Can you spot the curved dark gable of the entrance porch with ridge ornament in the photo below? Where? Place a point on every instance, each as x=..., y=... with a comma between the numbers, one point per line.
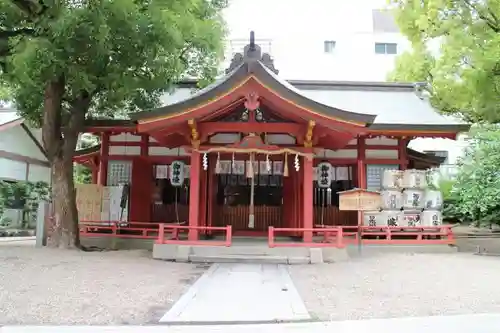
x=257, y=68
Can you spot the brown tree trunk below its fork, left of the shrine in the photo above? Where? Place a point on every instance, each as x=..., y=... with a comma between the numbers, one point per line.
x=63, y=231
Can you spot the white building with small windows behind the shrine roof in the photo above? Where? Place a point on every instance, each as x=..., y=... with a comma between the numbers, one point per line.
x=336, y=40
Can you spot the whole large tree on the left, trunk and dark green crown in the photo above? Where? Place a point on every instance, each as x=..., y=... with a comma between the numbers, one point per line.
x=67, y=60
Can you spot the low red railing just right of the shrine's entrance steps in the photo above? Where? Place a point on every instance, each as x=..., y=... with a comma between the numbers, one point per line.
x=331, y=237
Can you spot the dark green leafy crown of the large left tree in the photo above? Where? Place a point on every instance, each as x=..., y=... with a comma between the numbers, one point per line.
x=123, y=54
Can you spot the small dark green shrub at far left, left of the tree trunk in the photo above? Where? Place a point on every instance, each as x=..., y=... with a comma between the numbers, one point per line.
x=23, y=195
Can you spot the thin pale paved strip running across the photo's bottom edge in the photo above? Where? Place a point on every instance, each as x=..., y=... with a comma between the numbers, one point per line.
x=480, y=323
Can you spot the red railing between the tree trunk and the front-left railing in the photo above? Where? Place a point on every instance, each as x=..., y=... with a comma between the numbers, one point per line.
x=119, y=229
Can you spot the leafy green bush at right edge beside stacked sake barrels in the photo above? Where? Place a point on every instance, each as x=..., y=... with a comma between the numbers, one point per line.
x=477, y=190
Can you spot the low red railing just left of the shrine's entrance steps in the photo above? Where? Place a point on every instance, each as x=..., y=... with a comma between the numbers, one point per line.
x=173, y=233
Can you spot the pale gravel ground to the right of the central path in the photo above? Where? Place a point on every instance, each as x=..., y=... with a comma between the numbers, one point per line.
x=400, y=285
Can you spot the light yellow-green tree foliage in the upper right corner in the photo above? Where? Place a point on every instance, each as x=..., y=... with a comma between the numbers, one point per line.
x=456, y=50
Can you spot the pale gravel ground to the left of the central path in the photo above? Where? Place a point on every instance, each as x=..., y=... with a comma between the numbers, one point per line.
x=47, y=286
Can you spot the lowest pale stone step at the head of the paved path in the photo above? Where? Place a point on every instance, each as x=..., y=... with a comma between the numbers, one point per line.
x=241, y=258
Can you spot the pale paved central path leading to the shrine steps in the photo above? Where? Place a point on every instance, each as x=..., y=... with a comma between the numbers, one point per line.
x=240, y=293
